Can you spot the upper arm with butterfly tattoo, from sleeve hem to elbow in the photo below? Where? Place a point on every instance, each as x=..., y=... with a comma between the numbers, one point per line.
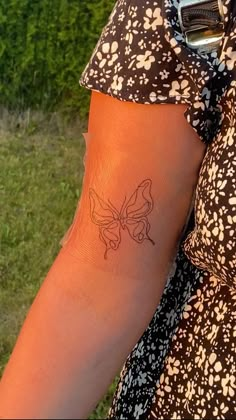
x=147, y=154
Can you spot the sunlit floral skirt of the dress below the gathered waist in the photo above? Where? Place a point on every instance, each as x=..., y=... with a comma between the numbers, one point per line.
x=199, y=376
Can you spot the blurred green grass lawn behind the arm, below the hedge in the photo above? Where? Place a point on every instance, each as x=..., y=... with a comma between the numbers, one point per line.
x=40, y=183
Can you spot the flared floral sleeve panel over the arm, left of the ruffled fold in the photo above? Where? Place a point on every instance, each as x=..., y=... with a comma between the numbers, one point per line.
x=132, y=61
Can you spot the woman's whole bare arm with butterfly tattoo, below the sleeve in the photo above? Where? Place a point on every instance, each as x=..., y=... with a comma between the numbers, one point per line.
x=90, y=310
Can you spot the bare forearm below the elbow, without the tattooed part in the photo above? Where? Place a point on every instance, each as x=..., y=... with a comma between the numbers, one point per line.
x=67, y=353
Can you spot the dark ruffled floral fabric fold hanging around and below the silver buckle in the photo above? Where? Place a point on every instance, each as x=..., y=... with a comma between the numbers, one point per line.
x=210, y=77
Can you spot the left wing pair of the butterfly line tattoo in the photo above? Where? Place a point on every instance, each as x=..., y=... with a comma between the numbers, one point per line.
x=107, y=218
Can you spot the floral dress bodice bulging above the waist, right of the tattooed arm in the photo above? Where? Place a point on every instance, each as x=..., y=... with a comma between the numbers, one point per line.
x=212, y=243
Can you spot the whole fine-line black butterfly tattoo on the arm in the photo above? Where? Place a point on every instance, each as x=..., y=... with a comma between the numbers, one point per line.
x=131, y=217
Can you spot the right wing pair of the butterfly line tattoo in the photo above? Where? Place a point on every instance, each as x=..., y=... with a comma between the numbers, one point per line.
x=135, y=212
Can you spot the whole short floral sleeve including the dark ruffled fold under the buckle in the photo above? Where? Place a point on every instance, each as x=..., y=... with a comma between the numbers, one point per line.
x=141, y=56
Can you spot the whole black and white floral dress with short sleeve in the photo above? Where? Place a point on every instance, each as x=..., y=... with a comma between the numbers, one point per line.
x=184, y=365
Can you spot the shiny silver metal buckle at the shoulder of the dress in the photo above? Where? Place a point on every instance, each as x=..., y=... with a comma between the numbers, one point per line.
x=202, y=22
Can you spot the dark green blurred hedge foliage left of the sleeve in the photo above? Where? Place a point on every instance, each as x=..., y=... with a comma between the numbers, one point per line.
x=44, y=46
